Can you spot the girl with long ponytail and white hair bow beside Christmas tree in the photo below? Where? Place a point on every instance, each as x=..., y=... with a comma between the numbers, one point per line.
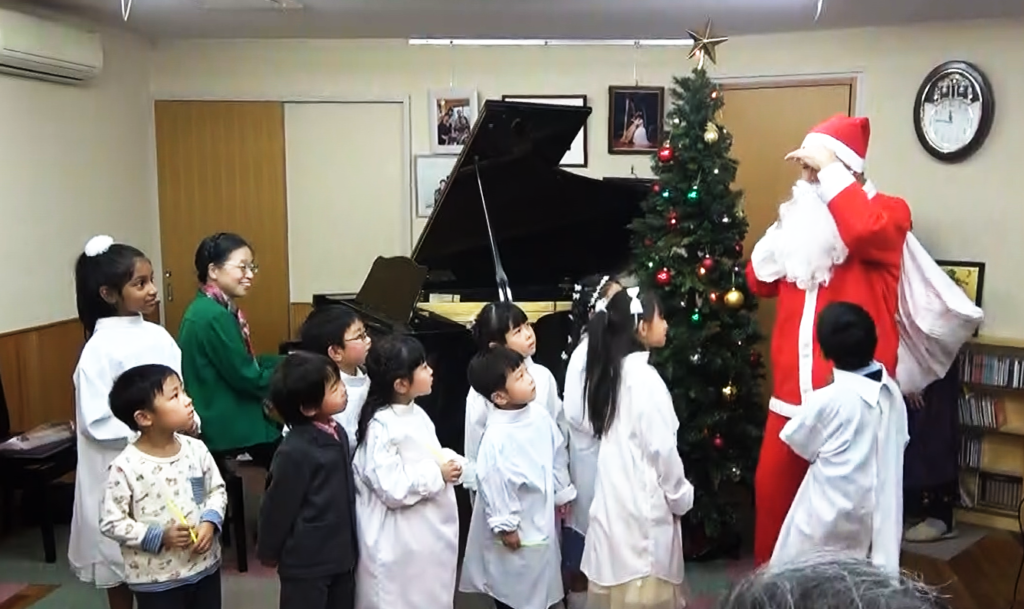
x=634, y=551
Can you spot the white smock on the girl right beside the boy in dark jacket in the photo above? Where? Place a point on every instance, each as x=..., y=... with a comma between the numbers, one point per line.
x=407, y=514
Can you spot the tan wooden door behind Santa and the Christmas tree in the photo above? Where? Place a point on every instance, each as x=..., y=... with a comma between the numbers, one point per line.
x=767, y=121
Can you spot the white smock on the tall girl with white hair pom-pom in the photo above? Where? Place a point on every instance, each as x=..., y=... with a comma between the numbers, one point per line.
x=117, y=344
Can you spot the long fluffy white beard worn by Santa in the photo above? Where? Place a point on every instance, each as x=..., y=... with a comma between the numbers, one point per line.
x=808, y=246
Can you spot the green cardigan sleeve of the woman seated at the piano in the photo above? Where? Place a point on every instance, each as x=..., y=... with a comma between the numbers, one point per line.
x=224, y=346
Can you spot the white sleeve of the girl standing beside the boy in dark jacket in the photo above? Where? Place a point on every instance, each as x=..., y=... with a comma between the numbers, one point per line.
x=397, y=484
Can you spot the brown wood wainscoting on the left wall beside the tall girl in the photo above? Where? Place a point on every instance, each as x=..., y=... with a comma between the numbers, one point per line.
x=37, y=366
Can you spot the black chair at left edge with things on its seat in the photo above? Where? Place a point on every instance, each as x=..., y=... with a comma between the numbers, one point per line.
x=33, y=473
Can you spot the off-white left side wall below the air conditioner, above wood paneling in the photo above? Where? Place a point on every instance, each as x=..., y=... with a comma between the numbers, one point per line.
x=74, y=162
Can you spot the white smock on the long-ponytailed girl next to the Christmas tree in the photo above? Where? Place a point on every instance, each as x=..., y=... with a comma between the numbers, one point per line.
x=634, y=551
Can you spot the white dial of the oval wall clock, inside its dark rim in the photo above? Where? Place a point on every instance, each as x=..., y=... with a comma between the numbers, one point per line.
x=952, y=112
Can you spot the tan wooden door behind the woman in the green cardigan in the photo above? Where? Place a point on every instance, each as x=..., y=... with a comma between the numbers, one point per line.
x=221, y=167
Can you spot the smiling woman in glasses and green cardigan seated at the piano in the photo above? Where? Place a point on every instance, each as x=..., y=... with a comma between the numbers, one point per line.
x=227, y=381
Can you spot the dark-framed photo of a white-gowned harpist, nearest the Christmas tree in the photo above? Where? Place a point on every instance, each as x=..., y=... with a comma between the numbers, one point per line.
x=636, y=117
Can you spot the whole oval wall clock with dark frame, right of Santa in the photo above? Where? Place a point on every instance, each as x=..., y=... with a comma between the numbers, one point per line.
x=954, y=111
